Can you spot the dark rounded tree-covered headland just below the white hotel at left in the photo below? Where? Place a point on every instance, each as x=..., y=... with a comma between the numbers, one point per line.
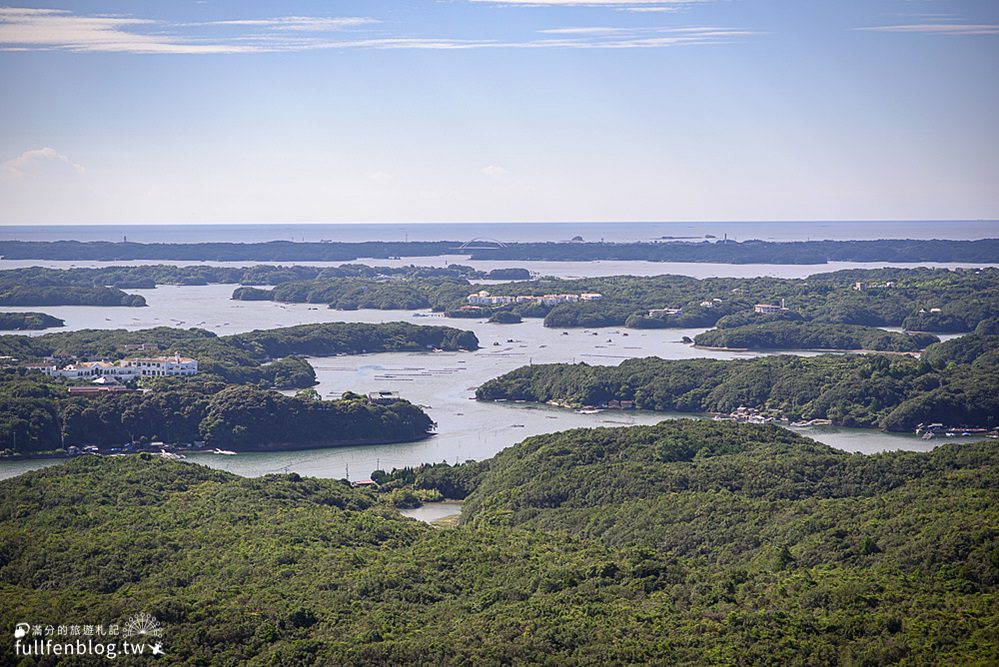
x=40, y=417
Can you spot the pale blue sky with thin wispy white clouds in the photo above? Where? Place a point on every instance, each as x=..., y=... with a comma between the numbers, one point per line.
x=483, y=110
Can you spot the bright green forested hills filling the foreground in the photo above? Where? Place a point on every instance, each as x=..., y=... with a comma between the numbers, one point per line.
x=684, y=543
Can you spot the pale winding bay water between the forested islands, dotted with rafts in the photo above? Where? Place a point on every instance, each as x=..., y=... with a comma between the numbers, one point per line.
x=445, y=382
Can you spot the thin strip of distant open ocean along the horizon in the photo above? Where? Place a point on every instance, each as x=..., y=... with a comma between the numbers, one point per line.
x=510, y=232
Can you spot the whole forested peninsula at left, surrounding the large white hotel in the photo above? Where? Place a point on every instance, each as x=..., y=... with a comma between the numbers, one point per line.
x=225, y=405
